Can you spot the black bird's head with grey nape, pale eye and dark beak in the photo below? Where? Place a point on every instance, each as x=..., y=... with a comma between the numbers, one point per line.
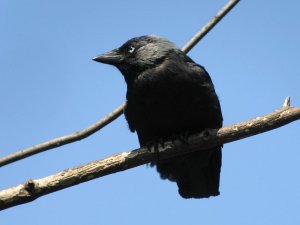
x=138, y=54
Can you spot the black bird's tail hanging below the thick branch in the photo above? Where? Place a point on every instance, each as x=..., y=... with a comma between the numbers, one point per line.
x=197, y=174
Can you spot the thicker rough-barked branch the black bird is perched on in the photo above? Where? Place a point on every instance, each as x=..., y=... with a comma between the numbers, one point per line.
x=32, y=189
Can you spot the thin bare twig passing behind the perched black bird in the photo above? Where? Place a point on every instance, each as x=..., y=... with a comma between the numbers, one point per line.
x=57, y=142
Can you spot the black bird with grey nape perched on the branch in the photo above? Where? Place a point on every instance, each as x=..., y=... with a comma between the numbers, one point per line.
x=169, y=95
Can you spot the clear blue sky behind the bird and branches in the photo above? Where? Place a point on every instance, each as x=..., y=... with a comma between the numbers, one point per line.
x=49, y=87
